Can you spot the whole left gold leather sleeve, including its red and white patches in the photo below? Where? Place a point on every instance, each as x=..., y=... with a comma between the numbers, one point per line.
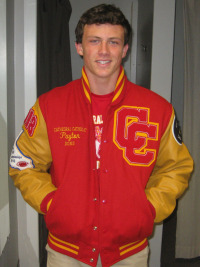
x=31, y=158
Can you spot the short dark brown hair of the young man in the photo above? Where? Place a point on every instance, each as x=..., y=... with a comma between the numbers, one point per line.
x=103, y=14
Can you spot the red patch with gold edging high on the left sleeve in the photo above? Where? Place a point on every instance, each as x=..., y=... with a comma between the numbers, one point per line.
x=31, y=122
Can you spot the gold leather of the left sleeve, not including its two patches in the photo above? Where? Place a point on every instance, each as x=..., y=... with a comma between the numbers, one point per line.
x=34, y=183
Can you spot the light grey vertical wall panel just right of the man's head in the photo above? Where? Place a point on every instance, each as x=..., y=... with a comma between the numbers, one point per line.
x=161, y=80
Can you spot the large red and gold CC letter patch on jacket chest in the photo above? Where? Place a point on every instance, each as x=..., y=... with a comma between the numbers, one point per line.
x=133, y=133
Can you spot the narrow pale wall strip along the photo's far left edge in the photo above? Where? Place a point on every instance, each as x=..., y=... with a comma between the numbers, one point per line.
x=4, y=197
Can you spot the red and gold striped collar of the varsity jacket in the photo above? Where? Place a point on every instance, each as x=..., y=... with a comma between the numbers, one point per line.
x=119, y=88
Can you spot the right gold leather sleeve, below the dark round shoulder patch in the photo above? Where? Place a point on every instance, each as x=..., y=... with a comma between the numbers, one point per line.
x=170, y=176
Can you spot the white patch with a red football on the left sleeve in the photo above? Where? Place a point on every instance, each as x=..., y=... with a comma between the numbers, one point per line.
x=18, y=160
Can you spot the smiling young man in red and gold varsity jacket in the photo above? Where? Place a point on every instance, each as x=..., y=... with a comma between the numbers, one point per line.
x=101, y=157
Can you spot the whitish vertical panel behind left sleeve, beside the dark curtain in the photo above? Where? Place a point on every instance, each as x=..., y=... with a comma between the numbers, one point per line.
x=25, y=96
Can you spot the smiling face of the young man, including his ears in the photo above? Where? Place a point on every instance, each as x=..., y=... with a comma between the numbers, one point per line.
x=102, y=49
